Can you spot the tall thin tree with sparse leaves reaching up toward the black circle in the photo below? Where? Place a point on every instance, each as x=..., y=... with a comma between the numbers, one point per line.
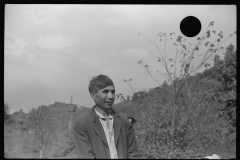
x=182, y=68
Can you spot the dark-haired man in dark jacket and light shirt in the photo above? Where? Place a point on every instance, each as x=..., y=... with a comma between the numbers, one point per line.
x=102, y=132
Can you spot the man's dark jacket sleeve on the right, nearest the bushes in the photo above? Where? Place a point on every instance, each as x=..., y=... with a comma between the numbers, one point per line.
x=133, y=151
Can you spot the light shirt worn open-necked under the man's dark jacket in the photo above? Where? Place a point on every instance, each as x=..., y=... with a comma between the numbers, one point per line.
x=107, y=124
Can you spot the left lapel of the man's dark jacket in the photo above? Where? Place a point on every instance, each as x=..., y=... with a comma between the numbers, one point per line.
x=97, y=126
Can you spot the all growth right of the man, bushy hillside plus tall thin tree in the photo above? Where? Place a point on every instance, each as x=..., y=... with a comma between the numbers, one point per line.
x=190, y=114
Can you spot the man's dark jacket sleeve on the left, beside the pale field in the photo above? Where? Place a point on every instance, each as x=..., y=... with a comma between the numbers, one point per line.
x=82, y=141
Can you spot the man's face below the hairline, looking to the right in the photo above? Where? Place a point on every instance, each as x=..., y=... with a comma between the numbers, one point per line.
x=105, y=97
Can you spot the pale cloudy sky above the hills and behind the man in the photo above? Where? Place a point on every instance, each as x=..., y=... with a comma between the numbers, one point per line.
x=52, y=51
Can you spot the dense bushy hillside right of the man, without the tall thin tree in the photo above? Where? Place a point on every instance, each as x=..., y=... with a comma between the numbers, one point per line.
x=205, y=117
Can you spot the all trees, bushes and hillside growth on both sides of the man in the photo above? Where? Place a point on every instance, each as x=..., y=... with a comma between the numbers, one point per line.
x=191, y=114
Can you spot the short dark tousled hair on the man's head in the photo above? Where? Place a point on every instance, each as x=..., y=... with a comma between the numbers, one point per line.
x=99, y=82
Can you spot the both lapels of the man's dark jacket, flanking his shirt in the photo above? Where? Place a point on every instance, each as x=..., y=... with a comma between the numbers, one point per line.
x=99, y=129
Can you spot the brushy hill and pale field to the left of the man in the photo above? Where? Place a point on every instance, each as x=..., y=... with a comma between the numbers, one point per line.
x=44, y=132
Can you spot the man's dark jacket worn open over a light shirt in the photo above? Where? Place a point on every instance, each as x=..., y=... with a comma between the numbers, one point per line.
x=91, y=141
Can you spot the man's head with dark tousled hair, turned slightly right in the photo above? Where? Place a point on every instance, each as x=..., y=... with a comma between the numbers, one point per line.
x=102, y=91
